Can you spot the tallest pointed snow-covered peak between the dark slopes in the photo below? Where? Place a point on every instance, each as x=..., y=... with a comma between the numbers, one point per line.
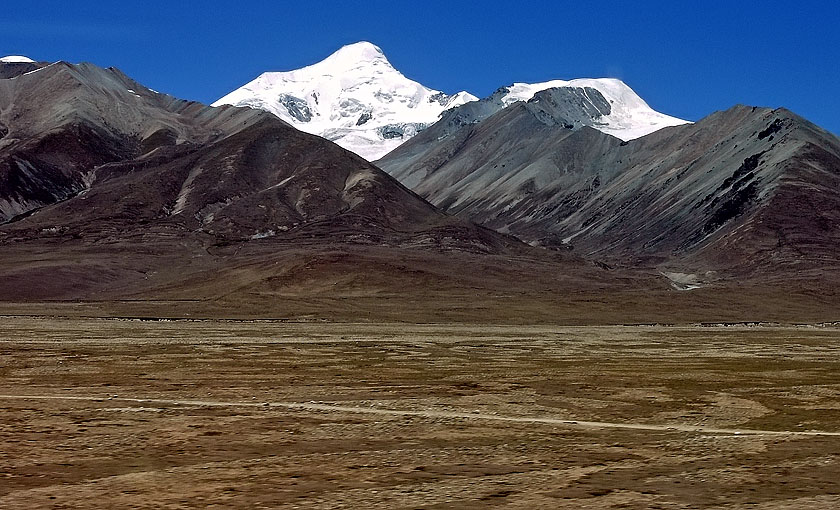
x=354, y=97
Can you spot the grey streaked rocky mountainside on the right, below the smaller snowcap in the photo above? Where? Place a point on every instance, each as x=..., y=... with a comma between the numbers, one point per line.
x=737, y=189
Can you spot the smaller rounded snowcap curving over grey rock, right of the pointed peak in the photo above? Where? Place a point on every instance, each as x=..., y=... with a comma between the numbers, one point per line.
x=630, y=116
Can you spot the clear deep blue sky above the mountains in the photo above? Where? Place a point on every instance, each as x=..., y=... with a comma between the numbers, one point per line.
x=684, y=58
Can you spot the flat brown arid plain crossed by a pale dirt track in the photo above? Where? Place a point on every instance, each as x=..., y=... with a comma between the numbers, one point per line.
x=108, y=413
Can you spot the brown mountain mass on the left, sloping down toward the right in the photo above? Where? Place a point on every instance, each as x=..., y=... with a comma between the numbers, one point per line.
x=110, y=190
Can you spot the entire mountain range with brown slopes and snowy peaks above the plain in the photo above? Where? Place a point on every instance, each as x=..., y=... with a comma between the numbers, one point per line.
x=537, y=201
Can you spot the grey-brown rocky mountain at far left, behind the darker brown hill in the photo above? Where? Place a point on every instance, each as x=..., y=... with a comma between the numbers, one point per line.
x=63, y=121
